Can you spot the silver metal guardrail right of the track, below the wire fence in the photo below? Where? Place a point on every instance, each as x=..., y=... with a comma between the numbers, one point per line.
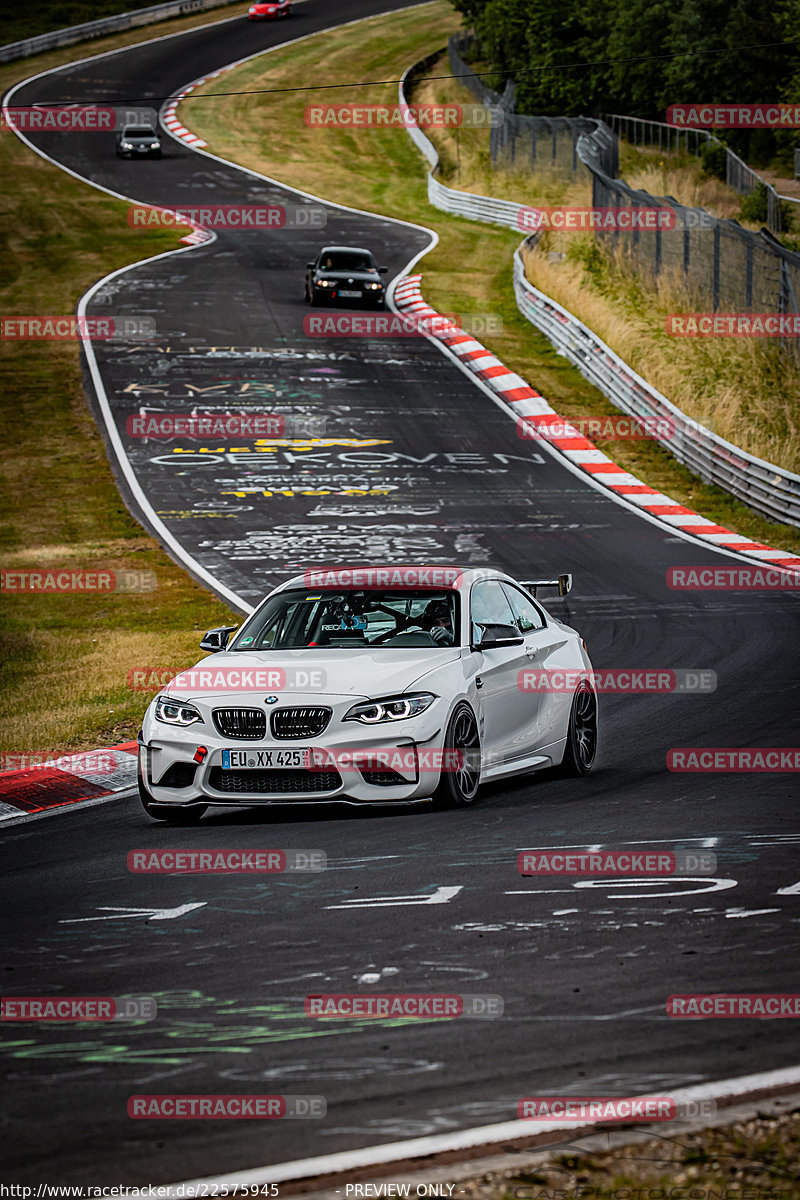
x=771, y=490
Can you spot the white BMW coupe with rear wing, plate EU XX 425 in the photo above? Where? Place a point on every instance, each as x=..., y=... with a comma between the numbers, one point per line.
x=372, y=686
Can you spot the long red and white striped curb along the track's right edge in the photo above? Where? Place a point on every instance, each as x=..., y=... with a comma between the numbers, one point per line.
x=526, y=404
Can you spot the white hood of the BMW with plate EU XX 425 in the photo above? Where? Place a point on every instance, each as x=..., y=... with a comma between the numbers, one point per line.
x=363, y=674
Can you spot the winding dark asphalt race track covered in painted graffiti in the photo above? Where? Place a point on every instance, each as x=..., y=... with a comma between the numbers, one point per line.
x=585, y=971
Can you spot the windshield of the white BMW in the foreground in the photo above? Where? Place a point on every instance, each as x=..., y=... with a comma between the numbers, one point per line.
x=297, y=620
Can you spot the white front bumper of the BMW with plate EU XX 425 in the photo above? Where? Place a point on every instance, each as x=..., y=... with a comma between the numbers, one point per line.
x=410, y=751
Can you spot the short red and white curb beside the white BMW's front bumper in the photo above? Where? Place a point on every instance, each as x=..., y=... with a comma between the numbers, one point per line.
x=68, y=781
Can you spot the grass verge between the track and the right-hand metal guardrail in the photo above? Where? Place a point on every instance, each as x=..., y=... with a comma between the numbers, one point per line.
x=381, y=171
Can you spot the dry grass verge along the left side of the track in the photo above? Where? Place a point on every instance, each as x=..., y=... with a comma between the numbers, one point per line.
x=65, y=659
